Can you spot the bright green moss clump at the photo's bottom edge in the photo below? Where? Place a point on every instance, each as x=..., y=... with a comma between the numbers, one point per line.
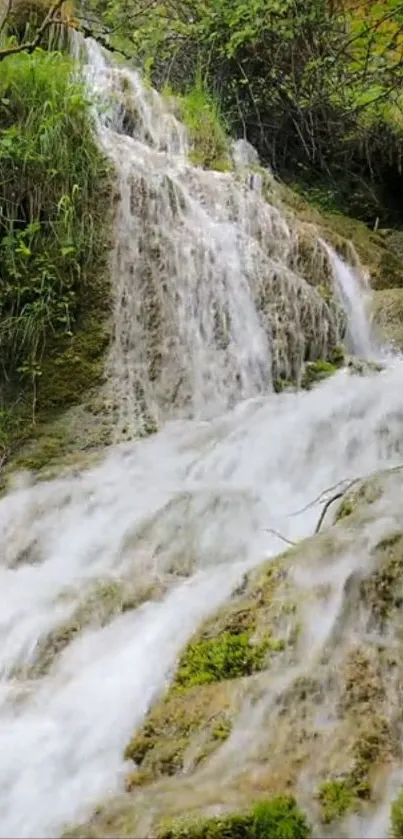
x=277, y=818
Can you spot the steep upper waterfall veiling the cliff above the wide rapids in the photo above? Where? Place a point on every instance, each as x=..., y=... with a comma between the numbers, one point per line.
x=211, y=303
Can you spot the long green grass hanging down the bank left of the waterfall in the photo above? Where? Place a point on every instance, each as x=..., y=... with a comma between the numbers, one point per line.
x=54, y=188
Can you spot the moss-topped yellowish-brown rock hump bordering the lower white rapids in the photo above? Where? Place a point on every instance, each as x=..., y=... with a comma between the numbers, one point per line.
x=196, y=714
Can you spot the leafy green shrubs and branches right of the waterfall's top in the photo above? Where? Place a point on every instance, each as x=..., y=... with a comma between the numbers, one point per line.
x=315, y=85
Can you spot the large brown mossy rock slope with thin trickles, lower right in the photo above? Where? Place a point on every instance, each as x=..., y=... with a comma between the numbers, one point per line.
x=295, y=686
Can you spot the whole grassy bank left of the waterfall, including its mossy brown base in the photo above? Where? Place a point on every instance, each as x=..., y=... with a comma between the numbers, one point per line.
x=54, y=217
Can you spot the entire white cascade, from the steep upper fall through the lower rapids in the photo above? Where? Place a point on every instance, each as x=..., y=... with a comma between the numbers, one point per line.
x=105, y=576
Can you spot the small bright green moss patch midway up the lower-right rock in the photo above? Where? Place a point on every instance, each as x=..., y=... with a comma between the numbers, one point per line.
x=226, y=657
